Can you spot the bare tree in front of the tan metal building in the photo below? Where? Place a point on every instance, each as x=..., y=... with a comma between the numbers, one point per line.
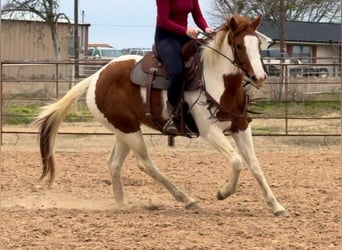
x=46, y=10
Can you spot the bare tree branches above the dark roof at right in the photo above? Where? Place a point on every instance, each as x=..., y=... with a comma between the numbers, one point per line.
x=296, y=10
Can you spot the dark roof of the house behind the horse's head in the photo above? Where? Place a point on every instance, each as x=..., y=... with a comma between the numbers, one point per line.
x=302, y=31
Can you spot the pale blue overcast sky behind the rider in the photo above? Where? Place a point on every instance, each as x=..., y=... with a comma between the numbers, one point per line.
x=120, y=23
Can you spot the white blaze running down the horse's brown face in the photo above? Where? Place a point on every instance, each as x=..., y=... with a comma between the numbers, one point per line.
x=252, y=46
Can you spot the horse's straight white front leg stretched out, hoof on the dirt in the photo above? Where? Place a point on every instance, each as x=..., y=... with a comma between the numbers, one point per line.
x=245, y=145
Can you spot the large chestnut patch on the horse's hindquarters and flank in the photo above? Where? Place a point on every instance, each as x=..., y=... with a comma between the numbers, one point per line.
x=120, y=100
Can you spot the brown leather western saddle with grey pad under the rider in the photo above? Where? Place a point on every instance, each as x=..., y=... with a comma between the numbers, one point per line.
x=150, y=72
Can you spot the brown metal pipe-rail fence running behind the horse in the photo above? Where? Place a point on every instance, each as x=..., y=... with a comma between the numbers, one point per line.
x=301, y=104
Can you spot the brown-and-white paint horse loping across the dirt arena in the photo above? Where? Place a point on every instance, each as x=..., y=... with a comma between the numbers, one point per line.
x=119, y=104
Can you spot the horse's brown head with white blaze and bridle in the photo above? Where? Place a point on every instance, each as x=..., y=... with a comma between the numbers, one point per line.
x=245, y=43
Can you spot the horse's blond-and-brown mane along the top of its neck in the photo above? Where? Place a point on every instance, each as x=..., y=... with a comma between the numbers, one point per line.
x=221, y=35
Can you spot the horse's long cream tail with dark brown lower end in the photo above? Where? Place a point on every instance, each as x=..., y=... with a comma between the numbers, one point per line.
x=49, y=121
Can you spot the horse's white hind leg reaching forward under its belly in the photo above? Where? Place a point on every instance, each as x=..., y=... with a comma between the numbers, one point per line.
x=136, y=143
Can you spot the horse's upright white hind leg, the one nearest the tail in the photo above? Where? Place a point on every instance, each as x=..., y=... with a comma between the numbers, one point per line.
x=118, y=155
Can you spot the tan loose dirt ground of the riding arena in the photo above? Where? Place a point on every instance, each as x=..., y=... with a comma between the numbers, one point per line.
x=79, y=211
